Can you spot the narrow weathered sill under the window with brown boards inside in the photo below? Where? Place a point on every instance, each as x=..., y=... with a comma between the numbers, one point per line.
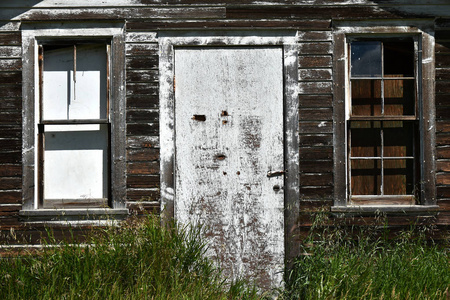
x=390, y=209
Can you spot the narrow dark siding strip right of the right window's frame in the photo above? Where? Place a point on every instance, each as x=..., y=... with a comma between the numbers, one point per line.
x=443, y=119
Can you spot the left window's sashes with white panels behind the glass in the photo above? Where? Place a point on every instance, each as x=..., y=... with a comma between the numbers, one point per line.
x=73, y=141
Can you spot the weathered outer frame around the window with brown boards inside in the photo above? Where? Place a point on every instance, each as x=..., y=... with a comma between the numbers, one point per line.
x=346, y=31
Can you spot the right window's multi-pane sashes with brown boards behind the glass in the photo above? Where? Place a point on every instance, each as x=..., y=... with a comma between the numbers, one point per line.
x=383, y=122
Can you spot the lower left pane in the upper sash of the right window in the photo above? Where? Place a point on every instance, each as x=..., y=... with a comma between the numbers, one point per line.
x=366, y=97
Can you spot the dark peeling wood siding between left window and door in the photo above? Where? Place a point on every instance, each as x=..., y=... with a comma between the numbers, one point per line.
x=142, y=121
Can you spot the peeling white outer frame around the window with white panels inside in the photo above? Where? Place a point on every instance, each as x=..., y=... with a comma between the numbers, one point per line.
x=33, y=35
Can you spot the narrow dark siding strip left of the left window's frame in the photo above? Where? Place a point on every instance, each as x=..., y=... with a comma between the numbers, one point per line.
x=10, y=126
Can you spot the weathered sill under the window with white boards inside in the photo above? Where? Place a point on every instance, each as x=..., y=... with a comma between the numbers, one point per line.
x=74, y=214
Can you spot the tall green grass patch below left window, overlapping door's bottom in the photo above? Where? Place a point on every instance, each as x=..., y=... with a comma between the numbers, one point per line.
x=140, y=261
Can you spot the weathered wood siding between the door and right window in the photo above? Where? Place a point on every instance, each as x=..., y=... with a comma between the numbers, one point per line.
x=315, y=119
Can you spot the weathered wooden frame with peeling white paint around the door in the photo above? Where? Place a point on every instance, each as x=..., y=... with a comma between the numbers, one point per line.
x=168, y=41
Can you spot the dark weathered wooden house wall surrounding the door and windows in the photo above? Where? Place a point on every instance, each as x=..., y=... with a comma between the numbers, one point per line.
x=143, y=21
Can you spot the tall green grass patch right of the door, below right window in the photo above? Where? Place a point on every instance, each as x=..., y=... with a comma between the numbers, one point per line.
x=367, y=265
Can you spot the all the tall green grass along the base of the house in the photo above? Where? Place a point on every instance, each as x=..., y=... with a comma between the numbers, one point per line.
x=143, y=260
